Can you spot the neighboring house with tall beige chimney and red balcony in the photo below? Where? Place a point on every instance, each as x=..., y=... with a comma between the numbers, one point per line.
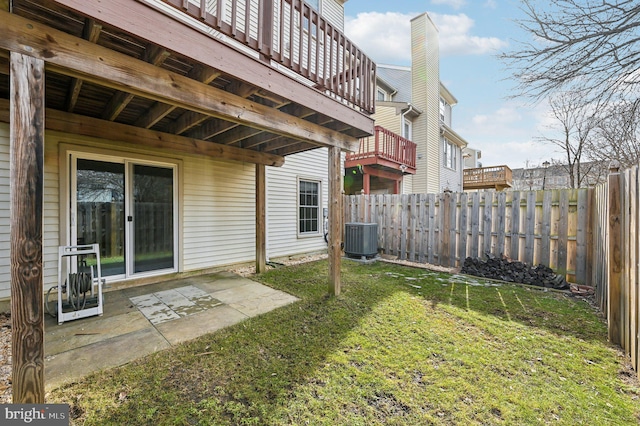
x=413, y=105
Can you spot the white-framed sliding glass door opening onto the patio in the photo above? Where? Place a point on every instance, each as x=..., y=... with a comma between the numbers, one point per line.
x=128, y=208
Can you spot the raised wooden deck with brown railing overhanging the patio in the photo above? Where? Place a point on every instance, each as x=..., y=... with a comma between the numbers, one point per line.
x=266, y=89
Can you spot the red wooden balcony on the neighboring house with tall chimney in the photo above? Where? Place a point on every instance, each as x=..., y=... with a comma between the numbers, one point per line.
x=384, y=150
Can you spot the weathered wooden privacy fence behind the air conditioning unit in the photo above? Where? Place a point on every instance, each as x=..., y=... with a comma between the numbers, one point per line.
x=537, y=227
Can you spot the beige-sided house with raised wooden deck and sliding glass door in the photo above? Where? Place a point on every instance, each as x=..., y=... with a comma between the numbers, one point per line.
x=178, y=139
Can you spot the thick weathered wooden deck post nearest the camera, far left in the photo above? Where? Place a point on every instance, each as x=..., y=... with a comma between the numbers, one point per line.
x=27, y=178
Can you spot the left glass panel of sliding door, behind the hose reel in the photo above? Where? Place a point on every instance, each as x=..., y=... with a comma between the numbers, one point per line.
x=100, y=211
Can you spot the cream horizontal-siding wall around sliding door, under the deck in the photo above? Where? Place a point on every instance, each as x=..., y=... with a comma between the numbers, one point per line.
x=216, y=219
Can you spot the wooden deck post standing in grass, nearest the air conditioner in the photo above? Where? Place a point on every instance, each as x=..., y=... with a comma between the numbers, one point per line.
x=335, y=220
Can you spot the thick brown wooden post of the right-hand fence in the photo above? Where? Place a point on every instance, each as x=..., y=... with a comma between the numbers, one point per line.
x=614, y=307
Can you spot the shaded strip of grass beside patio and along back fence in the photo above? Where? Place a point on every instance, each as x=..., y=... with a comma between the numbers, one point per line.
x=246, y=373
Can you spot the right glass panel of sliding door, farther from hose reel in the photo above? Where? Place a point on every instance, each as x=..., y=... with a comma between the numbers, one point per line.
x=152, y=218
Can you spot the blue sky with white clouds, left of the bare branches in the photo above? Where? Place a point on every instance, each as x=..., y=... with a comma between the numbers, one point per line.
x=472, y=33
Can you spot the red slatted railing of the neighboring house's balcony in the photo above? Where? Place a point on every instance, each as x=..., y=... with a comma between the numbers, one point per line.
x=386, y=145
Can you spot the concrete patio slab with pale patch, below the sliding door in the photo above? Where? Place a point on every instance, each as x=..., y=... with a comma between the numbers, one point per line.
x=129, y=329
